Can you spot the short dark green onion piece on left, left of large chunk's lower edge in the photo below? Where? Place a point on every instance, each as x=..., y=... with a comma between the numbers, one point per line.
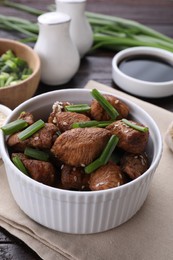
x=36, y=154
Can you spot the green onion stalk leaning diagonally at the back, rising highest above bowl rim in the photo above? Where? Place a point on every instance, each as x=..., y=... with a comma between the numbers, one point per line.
x=112, y=112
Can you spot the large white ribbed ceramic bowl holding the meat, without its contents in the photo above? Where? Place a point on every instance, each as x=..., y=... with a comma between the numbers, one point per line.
x=75, y=211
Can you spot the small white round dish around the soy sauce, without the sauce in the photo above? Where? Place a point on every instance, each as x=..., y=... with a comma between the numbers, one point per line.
x=140, y=87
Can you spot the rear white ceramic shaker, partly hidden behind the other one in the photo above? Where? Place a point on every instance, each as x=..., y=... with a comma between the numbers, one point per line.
x=80, y=29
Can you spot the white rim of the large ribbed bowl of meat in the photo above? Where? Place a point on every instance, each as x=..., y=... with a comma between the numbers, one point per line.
x=4, y=150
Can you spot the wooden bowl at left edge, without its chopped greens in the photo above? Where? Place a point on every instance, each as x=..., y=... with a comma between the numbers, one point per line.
x=12, y=96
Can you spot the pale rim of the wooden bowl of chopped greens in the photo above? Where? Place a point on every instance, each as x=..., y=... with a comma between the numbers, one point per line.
x=30, y=50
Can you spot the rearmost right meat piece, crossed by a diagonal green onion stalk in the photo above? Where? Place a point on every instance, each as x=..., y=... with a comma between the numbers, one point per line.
x=98, y=113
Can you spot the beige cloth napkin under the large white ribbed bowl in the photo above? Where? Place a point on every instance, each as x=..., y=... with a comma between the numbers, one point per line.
x=147, y=236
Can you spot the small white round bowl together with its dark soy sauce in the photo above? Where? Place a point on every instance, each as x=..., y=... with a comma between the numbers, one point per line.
x=144, y=71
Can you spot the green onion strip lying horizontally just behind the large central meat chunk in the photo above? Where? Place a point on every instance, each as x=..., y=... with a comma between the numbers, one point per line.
x=92, y=123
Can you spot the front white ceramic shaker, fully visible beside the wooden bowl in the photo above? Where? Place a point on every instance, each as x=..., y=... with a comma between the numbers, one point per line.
x=58, y=54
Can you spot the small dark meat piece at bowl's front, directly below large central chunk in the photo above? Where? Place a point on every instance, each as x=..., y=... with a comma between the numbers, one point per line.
x=74, y=178
